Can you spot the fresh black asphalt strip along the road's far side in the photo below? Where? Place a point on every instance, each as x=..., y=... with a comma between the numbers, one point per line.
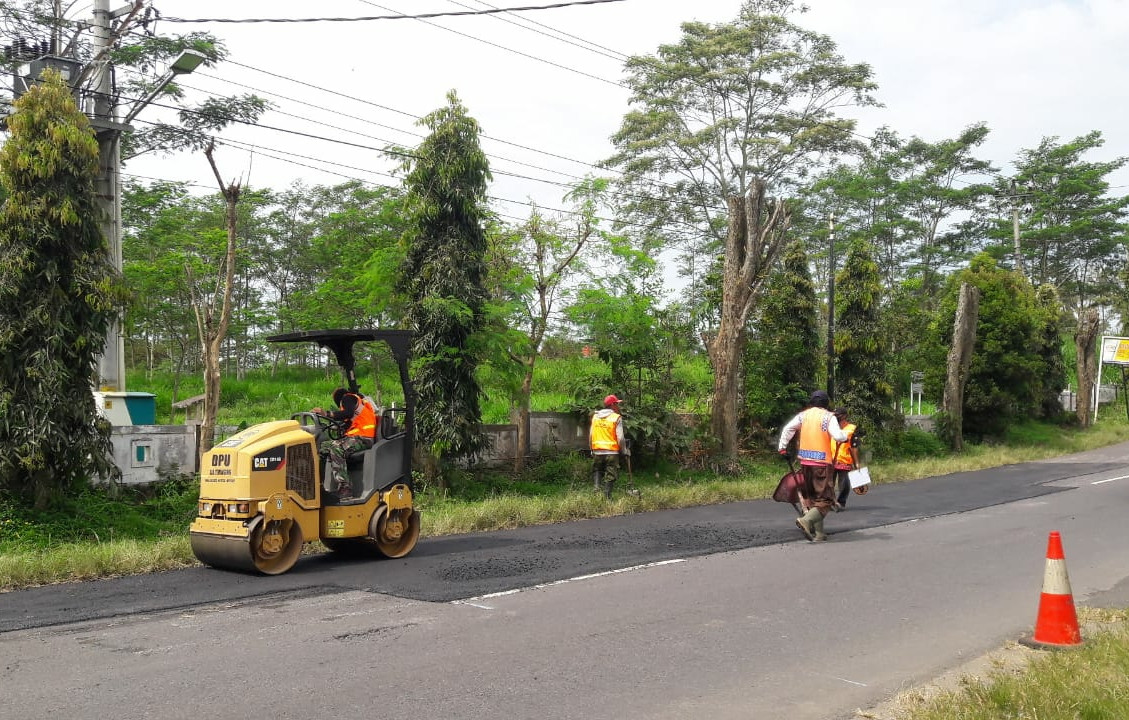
x=458, y=567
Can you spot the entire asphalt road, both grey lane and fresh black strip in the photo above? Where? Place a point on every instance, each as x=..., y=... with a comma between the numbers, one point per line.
x=717, y=612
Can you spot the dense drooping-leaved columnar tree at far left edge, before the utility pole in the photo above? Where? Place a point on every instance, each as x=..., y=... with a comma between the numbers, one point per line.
x=58, y=296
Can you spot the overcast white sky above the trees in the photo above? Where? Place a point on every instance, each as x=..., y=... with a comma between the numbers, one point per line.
x=1028, y=68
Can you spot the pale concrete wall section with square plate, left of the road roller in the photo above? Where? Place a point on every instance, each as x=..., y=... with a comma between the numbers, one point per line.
x=142, y=452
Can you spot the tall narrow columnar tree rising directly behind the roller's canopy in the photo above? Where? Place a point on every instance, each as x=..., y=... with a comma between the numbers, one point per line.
x=443, y=278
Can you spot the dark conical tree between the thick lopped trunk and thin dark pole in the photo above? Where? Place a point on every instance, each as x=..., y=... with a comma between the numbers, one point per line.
x=783, y=358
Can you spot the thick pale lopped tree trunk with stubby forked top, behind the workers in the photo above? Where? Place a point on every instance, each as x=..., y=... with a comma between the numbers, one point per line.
x=754, y=242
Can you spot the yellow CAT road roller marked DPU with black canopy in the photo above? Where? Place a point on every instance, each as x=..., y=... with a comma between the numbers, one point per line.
x=267, y=491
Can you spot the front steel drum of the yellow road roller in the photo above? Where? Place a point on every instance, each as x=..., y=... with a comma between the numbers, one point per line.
x=272, y=548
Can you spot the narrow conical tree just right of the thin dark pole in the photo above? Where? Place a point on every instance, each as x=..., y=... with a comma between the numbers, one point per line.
x=862, y=381
